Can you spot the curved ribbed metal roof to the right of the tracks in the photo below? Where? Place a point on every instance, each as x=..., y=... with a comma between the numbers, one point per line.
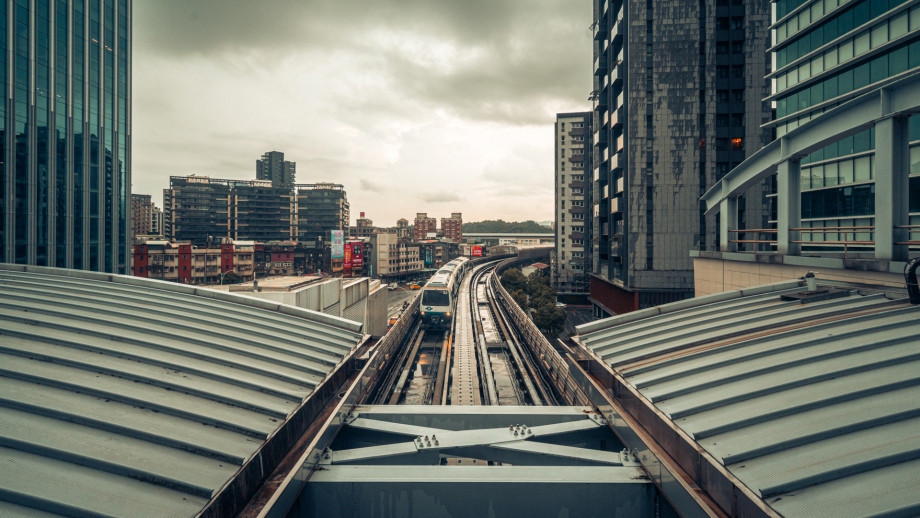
x=815, y=407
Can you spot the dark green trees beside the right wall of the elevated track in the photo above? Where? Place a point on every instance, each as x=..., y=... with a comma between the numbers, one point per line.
x=534, y=292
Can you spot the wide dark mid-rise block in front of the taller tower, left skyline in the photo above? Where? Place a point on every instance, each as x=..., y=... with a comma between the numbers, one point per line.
x=198, y=207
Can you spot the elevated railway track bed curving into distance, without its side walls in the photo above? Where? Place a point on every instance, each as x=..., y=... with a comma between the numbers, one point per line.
x=480, y=360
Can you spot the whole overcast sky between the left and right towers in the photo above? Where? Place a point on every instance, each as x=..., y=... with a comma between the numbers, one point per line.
x=433, y=106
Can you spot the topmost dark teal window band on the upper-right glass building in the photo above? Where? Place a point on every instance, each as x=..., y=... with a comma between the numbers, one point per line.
x=846, y=20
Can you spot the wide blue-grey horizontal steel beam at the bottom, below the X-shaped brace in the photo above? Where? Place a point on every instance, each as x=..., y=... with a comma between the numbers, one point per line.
x=442, y=491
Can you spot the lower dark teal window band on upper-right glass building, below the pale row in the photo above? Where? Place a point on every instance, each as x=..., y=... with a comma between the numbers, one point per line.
x=900, y=59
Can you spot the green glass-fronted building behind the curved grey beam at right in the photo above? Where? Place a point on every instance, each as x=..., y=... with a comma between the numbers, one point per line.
x=826, y=52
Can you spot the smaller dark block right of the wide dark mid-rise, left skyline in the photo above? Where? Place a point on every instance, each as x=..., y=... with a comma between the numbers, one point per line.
x=320, y=208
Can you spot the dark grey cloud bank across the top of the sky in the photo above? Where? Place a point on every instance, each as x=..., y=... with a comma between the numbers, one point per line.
x=509, y=56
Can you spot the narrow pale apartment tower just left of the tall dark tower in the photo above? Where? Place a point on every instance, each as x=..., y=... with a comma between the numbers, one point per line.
x=572, y=255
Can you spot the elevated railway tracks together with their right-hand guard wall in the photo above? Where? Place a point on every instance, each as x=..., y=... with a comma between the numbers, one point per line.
x=492, y=355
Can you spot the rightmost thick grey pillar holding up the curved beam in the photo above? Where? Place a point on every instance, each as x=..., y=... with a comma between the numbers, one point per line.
x=892, y=168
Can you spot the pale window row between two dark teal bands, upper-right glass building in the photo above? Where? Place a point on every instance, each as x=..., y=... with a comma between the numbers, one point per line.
x=846, y=50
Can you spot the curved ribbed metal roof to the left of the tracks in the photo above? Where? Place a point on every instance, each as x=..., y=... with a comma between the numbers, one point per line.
x=122, y=396
